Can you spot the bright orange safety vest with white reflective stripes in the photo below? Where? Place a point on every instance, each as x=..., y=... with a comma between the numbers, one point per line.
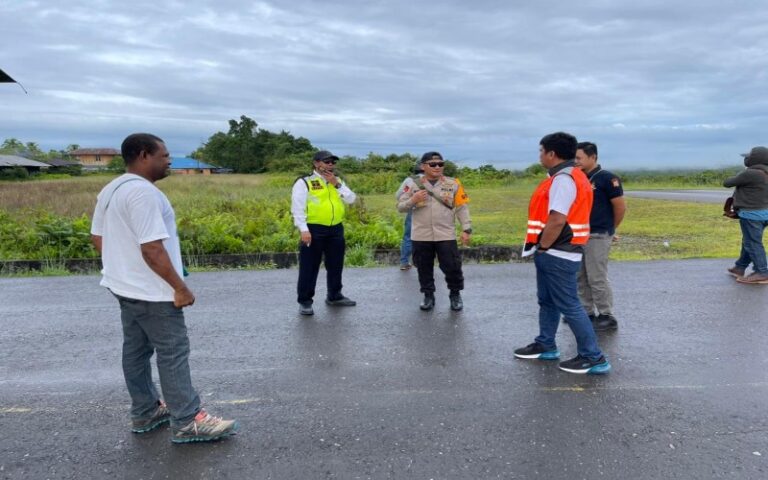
x=575, y=233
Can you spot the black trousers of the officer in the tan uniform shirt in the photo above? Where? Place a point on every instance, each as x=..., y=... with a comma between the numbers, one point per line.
x=449, y=259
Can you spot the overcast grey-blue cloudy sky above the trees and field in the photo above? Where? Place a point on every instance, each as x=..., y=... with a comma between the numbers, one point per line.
x=653, y=83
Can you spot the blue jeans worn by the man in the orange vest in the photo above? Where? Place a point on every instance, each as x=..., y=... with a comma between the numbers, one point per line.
x=557, y=293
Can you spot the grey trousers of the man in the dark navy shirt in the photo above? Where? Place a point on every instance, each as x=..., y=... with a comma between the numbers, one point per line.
x=594, y=288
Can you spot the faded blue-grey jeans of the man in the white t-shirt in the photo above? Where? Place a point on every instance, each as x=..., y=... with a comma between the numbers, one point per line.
x=150, y=327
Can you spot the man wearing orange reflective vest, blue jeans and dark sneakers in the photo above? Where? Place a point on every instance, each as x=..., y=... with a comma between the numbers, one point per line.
x=558, y=229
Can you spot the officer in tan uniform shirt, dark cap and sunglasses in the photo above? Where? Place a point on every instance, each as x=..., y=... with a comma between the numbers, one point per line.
x=437, y=201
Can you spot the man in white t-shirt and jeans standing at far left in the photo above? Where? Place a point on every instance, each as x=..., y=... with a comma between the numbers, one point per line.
x=134, y=229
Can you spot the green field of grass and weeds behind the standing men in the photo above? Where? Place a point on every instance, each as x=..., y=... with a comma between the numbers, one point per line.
x=251, y=213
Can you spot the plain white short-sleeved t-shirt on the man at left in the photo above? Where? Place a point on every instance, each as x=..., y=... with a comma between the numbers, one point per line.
x=131, y=211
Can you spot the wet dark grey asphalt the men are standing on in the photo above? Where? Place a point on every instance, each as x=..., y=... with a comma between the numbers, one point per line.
x=383, y=390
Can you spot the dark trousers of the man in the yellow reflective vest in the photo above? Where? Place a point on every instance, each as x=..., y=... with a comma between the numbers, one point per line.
x=326, y=242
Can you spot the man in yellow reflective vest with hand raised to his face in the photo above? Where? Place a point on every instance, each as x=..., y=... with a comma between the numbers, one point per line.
x=317, y=206
